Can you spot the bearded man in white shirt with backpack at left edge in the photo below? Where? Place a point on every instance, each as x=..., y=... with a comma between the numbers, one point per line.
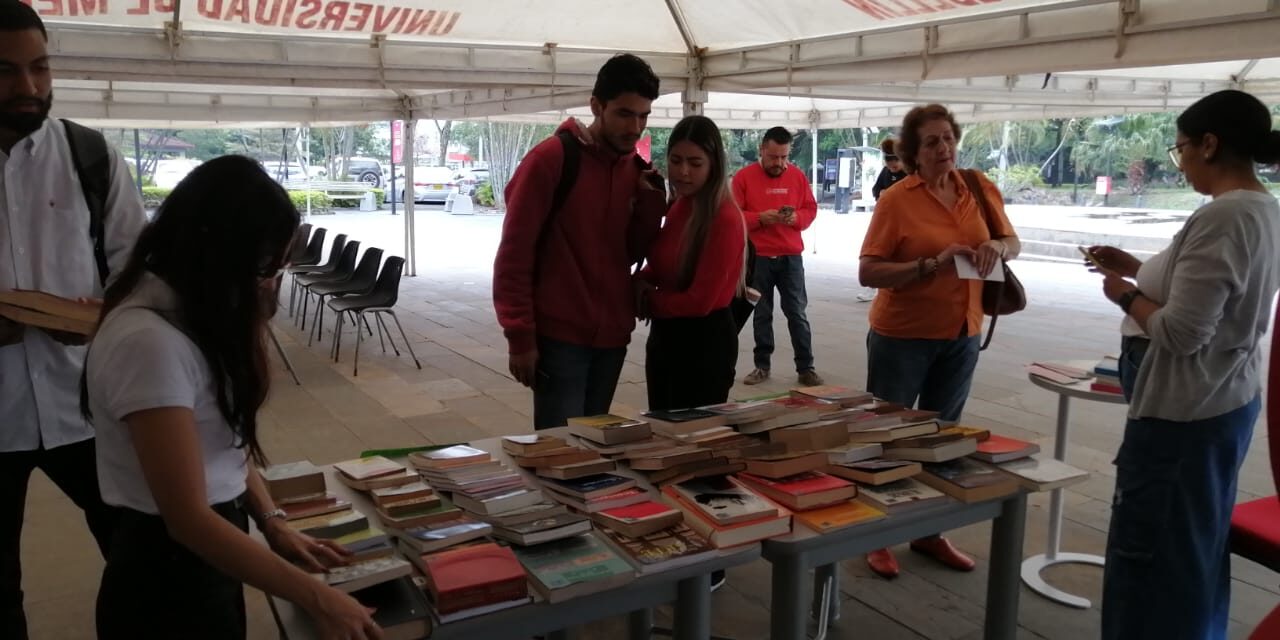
x=47, y=245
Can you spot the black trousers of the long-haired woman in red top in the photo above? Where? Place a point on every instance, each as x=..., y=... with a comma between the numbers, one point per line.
x=689, y=362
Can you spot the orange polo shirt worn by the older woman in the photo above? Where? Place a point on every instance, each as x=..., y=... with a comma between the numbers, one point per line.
x=911, y=223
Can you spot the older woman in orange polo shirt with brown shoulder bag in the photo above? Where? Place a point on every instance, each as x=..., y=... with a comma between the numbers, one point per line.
x=925, y=326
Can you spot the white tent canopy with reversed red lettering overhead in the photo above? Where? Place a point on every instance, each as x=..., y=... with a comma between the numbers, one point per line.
x=746, y=63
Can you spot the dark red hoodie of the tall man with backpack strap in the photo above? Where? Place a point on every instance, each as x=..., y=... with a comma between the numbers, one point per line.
x=582, y=294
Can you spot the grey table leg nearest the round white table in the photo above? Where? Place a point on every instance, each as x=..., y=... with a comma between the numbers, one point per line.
x=1007, y=548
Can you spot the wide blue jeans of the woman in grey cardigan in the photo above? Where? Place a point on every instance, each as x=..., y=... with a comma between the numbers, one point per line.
x=1168, y=565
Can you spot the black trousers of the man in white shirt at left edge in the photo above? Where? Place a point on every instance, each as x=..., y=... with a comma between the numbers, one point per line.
x=74, y=468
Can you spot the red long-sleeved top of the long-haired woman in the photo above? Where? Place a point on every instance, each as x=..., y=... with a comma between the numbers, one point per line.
x=719, y=271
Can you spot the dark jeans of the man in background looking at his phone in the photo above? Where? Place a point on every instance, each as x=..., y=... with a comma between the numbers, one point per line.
x=787, y=273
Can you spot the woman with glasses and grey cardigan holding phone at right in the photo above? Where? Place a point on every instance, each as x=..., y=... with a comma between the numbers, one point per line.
x=1203, y=304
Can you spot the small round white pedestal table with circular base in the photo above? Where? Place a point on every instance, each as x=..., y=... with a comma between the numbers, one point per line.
x=1035, y=565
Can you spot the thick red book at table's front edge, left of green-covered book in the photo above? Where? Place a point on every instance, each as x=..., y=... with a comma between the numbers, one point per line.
x=470, y=577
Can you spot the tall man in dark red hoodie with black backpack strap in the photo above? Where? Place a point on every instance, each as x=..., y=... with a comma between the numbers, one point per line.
x=563, y=277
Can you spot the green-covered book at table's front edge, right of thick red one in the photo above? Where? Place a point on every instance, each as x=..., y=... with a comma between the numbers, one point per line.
x=574, y=566
